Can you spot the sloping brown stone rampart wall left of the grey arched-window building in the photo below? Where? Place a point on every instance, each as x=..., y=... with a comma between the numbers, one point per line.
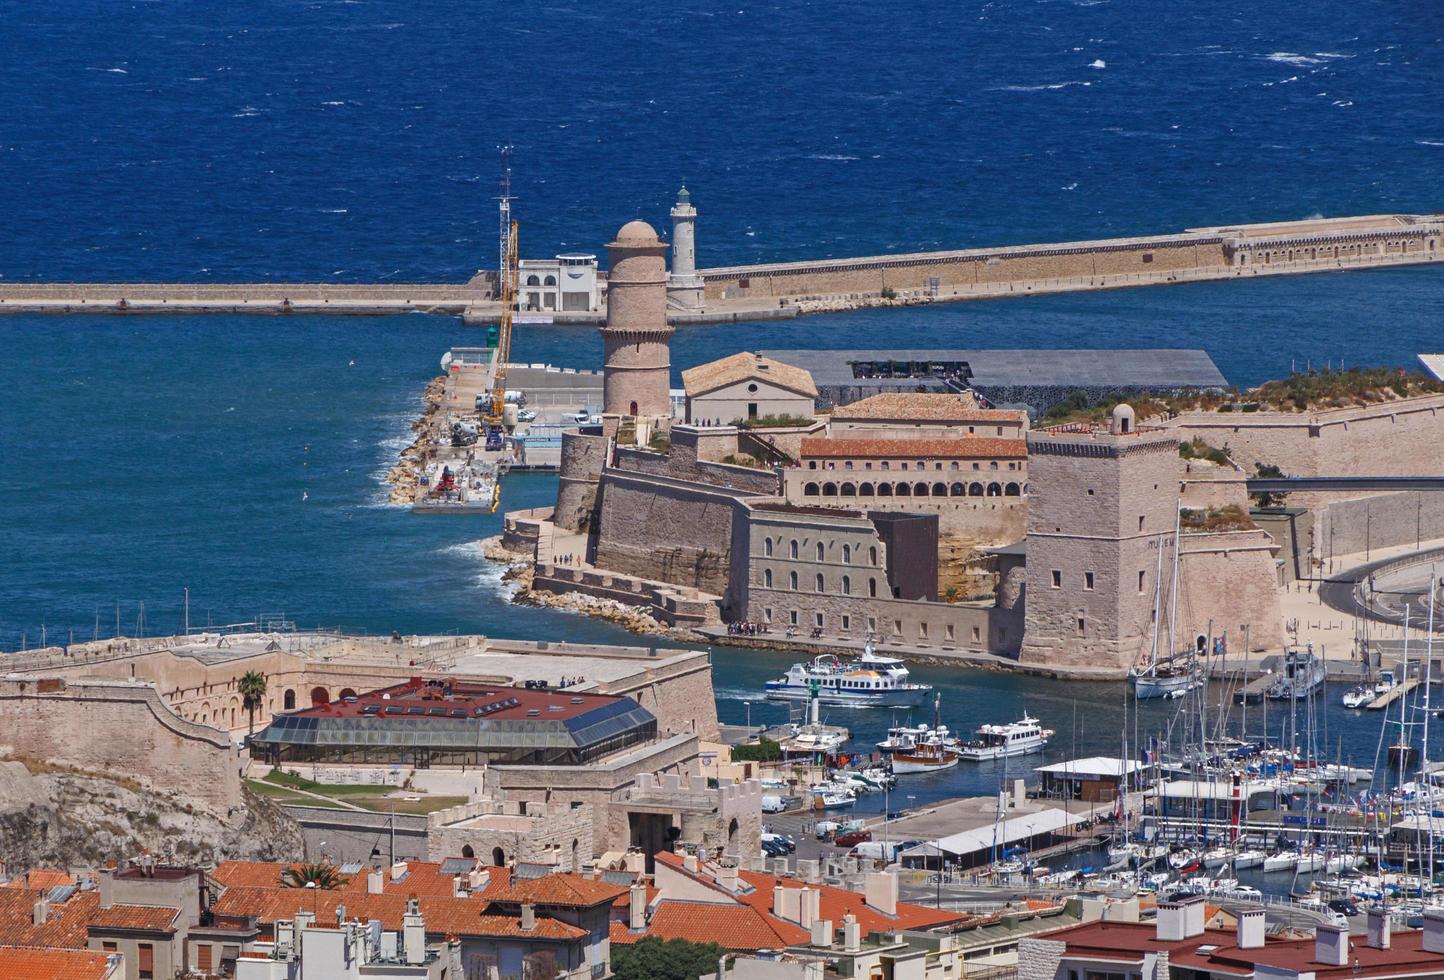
x=666, y=530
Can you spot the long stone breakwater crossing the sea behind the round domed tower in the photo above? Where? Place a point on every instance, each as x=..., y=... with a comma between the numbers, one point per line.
x=775, y=291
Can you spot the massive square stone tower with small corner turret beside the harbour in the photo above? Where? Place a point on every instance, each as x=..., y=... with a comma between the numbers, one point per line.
x=1101, y=506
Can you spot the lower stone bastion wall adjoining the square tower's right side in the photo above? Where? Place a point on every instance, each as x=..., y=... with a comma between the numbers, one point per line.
x=1231, y=578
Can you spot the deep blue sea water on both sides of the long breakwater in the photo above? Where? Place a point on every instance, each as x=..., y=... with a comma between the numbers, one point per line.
x=242, y=458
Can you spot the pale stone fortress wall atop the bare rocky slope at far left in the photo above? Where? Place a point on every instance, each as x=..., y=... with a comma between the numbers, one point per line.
x=119, y=728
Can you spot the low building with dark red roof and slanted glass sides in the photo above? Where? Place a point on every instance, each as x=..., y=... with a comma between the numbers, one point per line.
x=427, y=724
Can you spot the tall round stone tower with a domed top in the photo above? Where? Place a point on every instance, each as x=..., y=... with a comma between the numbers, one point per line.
x=636, y=338
